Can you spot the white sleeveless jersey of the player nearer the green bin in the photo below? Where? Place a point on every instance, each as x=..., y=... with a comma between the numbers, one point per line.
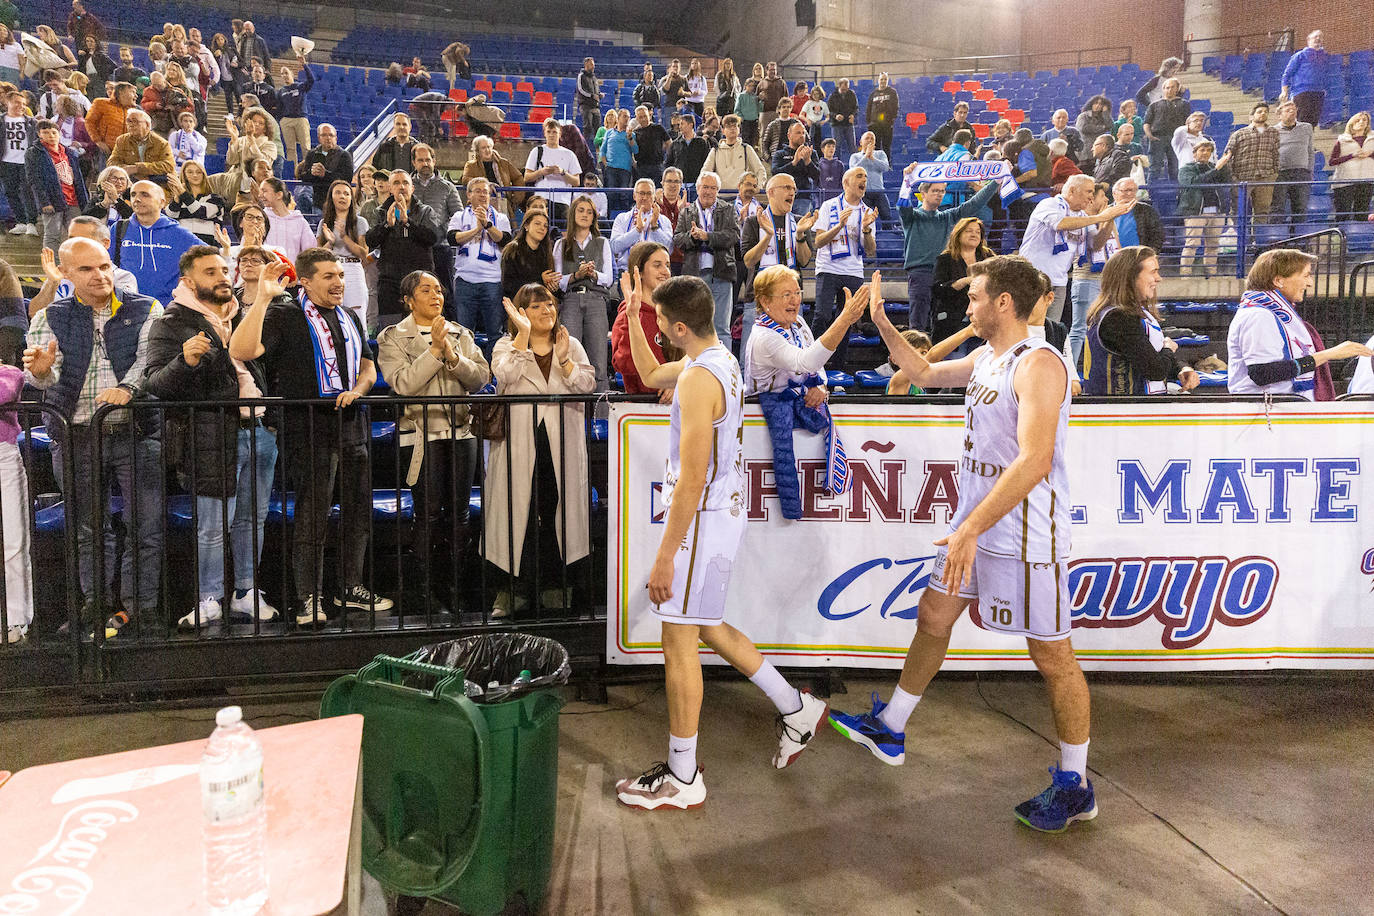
x=726, y=473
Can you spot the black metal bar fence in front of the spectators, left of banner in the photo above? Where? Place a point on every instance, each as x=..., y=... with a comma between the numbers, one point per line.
x=128, y=540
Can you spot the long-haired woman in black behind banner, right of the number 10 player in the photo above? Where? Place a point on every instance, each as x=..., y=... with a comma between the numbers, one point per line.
x=1127, y=350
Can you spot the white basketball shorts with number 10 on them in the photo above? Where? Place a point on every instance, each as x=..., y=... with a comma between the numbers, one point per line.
x=1015, y=597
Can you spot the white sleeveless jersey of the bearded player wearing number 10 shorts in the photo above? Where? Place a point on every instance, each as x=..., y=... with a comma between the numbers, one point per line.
x=1038, y=529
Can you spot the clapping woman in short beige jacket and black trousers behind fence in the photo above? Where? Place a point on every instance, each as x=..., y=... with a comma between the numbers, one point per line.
x=427, y=356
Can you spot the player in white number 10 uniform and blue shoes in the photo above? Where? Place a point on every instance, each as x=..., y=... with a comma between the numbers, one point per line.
x=1009, y=542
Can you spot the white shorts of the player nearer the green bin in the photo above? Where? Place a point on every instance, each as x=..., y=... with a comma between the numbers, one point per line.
x=703, y=566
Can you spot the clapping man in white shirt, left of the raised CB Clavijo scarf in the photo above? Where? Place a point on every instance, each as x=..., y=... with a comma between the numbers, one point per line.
x=846, y=236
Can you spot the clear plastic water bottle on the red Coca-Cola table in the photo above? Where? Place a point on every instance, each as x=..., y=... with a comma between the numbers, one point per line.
x=234, y=804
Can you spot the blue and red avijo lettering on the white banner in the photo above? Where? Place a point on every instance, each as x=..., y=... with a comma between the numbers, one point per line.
x=1186, y=594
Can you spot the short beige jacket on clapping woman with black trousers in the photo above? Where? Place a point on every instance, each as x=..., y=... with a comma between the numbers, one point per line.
x=405, y=360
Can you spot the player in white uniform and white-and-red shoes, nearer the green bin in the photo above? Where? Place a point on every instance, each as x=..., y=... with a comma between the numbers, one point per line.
x=704, y=488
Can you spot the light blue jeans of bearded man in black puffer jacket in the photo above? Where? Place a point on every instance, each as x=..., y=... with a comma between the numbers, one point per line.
x=247, y=517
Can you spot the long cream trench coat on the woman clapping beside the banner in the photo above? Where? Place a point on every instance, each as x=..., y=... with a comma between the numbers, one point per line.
x=517, y=373
